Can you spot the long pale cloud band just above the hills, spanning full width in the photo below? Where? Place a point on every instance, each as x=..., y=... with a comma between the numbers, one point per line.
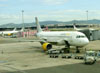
x=52, y=15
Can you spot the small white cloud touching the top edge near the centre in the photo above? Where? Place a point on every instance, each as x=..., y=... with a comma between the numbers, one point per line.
x=54, y=2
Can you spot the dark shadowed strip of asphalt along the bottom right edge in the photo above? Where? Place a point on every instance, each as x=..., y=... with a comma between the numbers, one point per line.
x=73, y=68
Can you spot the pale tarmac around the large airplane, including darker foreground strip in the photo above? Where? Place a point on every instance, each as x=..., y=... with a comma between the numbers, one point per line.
x=28, y=57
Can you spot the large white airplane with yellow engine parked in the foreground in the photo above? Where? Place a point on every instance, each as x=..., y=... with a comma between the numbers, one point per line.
x=67, y=38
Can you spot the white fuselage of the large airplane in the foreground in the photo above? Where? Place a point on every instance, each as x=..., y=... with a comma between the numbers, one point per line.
x=74, y=38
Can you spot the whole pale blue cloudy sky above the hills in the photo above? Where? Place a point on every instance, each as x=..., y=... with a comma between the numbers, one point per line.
x=48, y=10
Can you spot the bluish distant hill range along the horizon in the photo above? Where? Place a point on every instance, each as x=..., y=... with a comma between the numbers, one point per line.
x=12, y=25
